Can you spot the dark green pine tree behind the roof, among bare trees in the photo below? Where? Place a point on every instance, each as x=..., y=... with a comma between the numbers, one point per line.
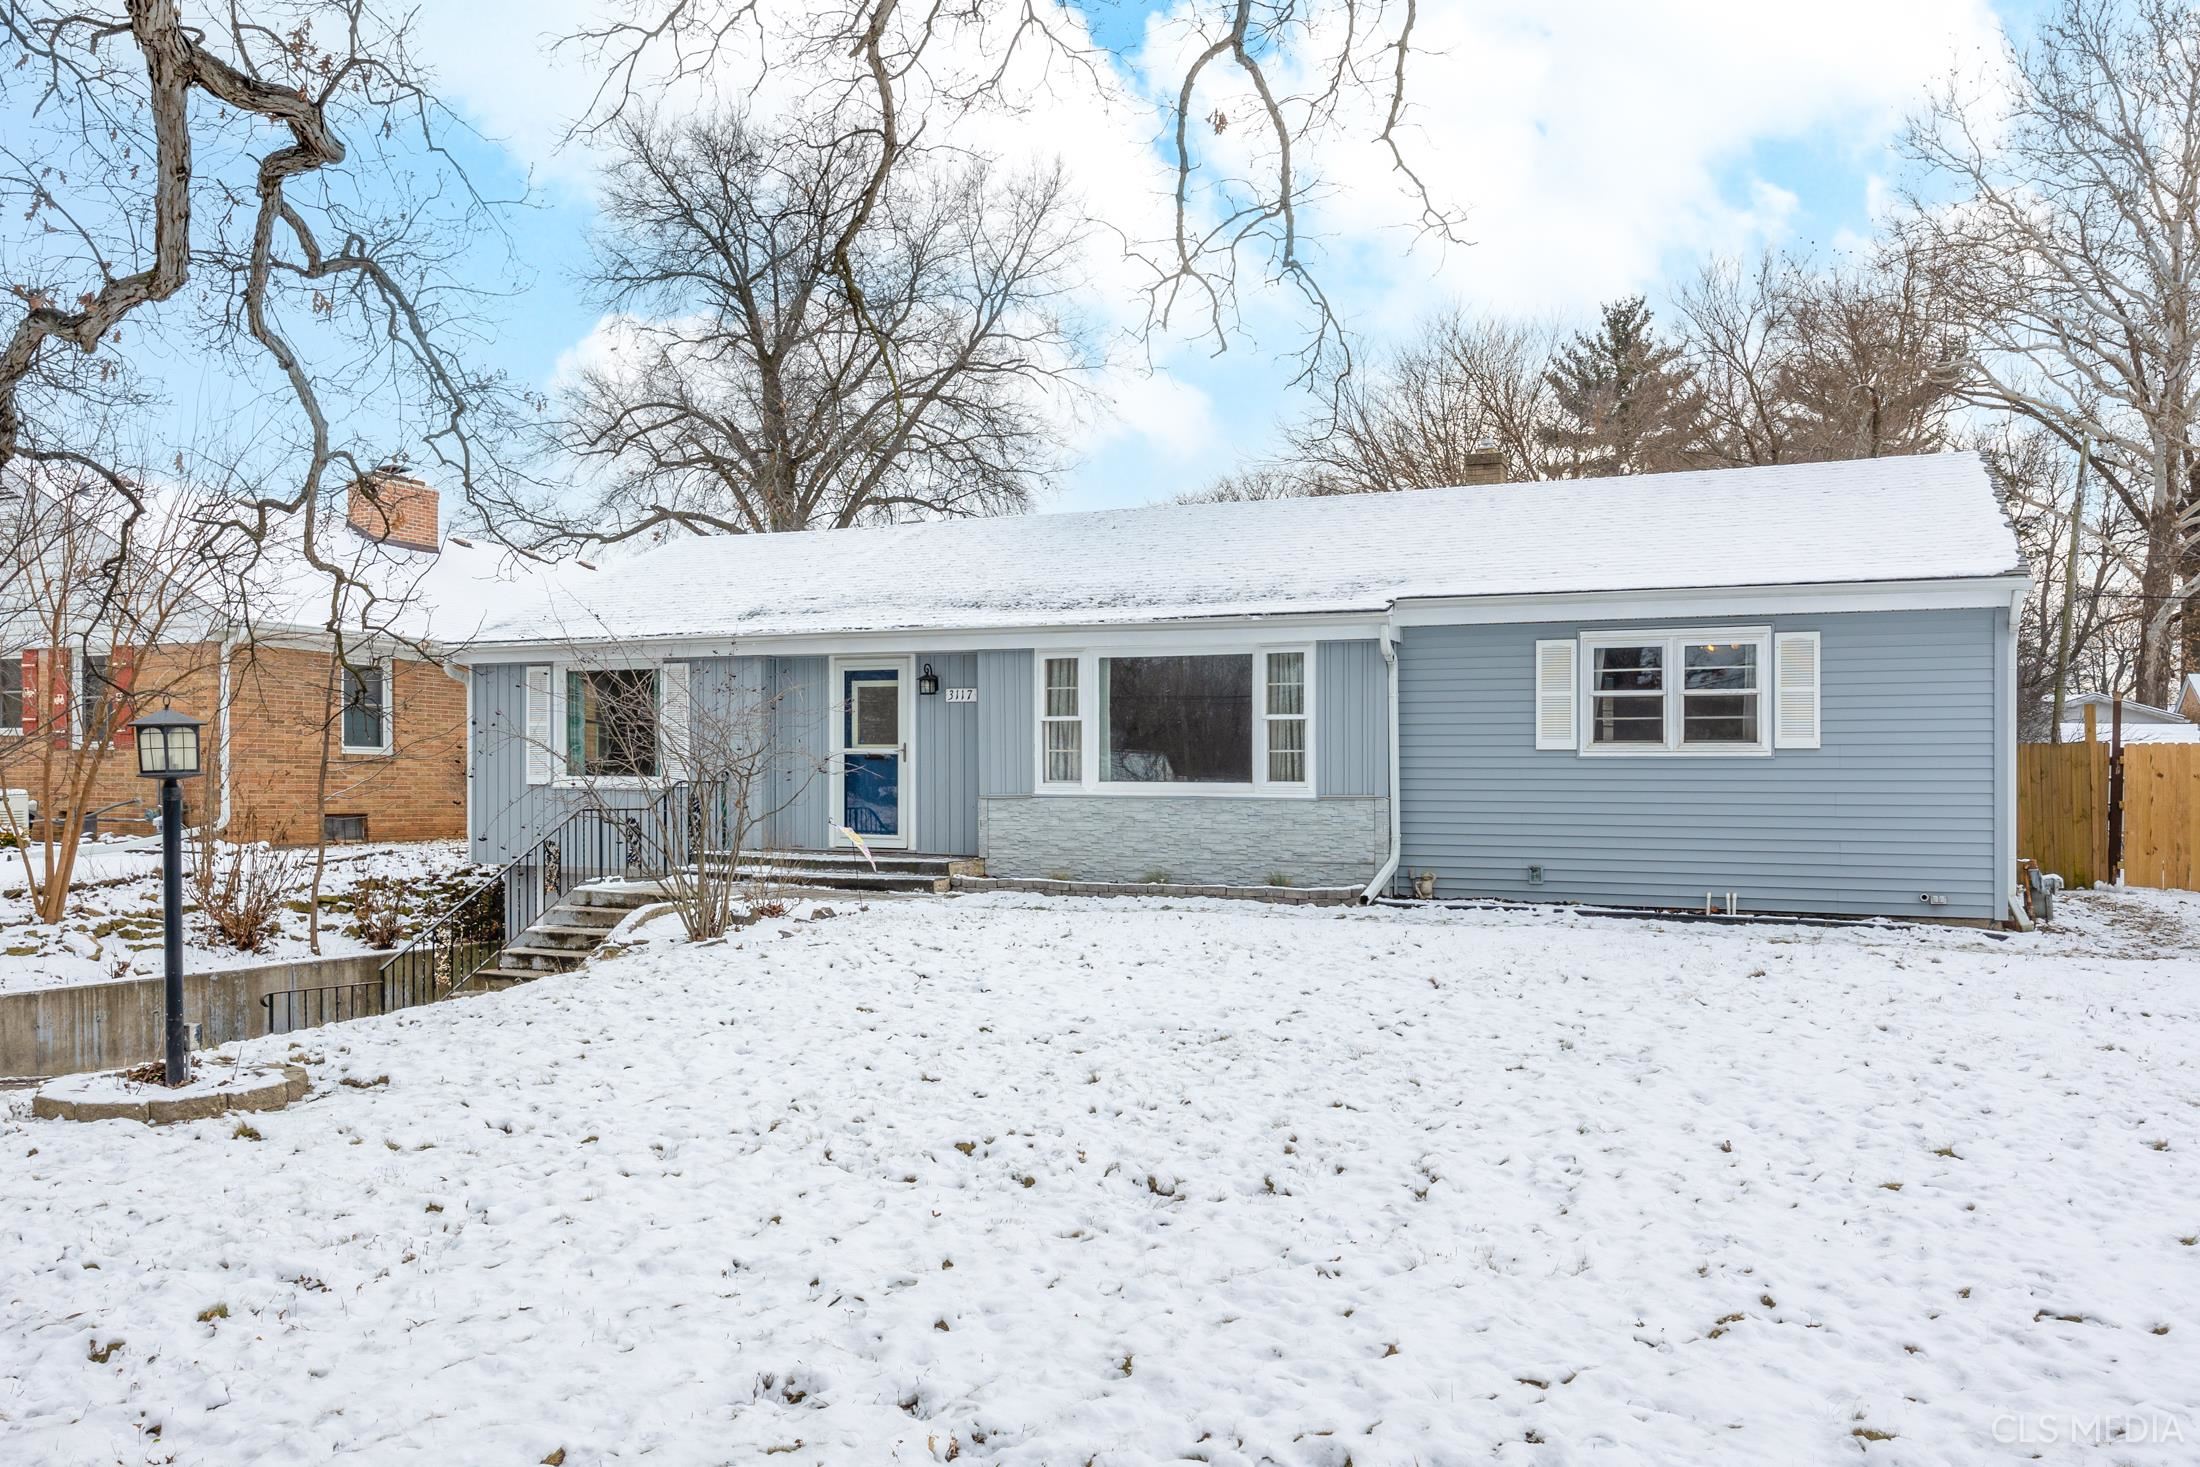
x=1625, y=401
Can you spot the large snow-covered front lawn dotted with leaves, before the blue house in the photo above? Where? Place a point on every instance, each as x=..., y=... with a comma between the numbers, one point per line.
x=1143, y=1182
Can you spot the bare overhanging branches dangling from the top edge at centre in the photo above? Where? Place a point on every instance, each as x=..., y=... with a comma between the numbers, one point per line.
x=1277, y=76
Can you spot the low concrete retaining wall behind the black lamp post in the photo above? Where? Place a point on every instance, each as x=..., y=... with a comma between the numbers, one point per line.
x=104, y=1026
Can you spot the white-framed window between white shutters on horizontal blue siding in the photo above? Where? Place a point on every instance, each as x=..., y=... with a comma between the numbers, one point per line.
x=1675, y=692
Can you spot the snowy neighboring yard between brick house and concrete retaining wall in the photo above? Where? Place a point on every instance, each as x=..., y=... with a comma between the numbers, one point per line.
x=113, y=927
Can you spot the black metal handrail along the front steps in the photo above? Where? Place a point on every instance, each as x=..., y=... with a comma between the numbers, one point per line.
x=588, y=846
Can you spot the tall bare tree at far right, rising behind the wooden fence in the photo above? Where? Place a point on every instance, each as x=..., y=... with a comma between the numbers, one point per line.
x=2069, y=250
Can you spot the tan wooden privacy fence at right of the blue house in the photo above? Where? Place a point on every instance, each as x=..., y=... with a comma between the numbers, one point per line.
x=2065, y=813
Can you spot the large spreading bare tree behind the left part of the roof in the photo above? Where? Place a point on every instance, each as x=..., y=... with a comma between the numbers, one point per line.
x=749, y=393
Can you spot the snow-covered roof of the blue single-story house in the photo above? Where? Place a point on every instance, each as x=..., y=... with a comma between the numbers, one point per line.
x=1873, y=520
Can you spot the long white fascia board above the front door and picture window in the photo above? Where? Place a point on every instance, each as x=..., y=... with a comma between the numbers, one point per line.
x=1174, y=635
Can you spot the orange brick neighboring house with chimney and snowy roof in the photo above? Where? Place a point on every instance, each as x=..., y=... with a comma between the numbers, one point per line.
x=397, y=764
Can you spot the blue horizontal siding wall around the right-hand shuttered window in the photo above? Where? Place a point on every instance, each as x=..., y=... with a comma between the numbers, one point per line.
x=1902, y=797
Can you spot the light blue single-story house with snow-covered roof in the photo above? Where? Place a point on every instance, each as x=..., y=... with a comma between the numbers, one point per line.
x=1783, y=690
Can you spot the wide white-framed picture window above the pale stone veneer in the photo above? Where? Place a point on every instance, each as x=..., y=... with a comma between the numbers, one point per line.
x=1213, y=723
